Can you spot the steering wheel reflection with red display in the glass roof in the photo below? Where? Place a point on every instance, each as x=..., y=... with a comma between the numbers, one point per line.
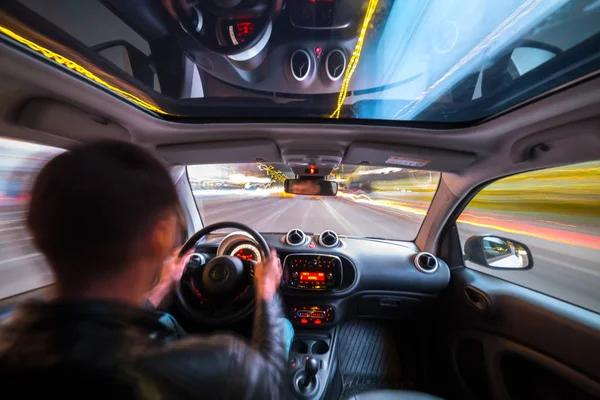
x=227, y=27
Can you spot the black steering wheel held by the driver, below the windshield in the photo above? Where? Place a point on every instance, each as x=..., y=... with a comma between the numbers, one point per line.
x=221, y=291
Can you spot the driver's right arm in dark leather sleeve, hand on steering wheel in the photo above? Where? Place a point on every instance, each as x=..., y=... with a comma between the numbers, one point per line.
x=224, y=366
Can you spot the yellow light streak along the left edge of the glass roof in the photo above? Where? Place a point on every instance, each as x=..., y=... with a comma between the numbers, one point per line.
x=73, y=66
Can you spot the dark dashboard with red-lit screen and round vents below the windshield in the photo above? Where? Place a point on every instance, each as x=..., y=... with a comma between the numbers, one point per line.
x=329, y=278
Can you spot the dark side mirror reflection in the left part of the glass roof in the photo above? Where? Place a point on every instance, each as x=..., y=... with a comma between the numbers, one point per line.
x=129, y=58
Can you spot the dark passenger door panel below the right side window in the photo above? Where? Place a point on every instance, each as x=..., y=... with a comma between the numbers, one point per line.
x=523, y=345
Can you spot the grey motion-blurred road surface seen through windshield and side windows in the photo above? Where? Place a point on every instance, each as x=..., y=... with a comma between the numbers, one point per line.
x=569, y=272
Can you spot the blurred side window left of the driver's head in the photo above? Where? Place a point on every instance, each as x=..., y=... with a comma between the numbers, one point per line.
x=22, y=267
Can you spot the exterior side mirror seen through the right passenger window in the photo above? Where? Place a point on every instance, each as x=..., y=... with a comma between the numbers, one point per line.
x=498, y=253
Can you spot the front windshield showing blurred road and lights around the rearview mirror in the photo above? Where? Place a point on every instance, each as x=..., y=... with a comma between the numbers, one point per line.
x=377, y=202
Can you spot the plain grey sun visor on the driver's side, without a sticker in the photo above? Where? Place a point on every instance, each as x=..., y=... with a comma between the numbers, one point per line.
x=239, y=151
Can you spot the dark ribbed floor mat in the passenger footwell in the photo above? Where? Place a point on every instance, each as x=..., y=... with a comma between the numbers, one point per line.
x=368, y=359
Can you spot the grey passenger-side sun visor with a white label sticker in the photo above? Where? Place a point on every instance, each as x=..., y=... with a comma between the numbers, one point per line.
x=399, y=156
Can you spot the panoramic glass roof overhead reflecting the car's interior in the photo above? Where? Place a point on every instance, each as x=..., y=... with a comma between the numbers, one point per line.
x=413, y=60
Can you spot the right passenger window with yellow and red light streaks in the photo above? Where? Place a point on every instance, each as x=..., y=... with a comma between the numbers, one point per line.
x=555, y=213
